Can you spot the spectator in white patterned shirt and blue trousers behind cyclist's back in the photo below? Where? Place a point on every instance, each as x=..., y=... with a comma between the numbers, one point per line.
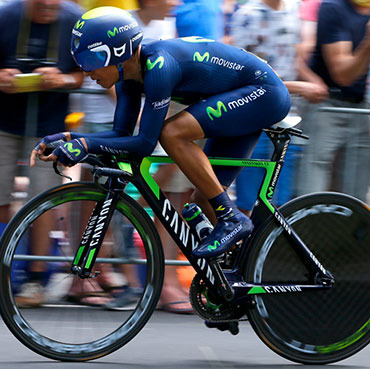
x=270, y=29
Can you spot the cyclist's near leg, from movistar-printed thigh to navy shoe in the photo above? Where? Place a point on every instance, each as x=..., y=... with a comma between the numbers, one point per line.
x=220, y=116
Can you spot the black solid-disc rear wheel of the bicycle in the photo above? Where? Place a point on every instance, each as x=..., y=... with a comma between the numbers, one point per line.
x=316, y=327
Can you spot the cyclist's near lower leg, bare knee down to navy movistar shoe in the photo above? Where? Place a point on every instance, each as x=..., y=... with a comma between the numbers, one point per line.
x=177, y=138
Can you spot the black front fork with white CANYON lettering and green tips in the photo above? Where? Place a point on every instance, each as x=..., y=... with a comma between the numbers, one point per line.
x=94, y=234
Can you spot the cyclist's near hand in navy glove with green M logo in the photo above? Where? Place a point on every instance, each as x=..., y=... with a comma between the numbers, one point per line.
x=70, y=153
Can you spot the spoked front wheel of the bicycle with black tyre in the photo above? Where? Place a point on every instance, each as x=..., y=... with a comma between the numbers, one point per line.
x=66, y=328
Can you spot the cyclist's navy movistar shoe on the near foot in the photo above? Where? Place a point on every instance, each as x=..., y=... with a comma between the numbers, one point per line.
x=225, y=234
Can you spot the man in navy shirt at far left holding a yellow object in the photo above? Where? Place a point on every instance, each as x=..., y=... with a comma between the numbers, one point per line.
x=39, y=43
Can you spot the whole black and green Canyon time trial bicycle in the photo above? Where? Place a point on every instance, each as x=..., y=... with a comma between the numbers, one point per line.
x=301, y=279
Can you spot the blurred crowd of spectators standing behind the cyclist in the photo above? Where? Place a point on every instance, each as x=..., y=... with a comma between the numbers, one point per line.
x=320, y=48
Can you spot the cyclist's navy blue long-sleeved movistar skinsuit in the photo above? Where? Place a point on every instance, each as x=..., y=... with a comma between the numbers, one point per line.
x=233, y=94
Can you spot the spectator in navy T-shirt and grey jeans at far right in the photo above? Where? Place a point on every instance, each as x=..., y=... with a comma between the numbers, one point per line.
x=341, y=58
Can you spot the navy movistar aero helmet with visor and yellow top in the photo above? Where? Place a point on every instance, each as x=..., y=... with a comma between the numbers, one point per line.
x=104, y=36
